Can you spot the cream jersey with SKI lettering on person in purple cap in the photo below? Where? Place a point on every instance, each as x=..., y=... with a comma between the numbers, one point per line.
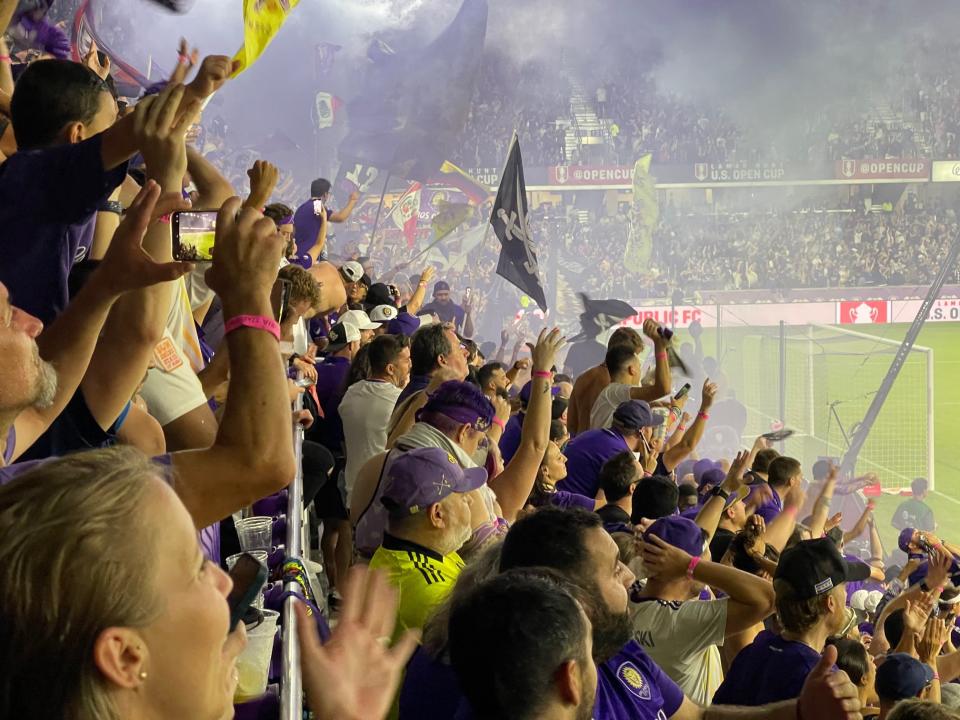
x=682, y=638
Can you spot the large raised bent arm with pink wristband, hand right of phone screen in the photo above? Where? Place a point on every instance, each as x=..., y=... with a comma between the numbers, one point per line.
x=253, y=454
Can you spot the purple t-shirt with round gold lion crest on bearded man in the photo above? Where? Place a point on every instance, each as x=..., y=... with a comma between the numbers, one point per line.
x=632, y=685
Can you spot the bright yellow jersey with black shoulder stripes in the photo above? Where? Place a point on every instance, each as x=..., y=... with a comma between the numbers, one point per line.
x=423, y=578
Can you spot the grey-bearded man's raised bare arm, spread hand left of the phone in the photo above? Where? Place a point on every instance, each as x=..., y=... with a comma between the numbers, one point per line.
x=69, y=342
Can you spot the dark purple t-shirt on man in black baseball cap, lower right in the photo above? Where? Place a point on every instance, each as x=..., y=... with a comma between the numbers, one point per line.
x=768, y=670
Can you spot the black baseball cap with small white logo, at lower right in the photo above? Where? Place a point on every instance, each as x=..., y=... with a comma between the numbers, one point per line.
x=815, y=567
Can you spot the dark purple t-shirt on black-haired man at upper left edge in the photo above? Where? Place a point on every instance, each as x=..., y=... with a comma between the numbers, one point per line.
x=48, y=204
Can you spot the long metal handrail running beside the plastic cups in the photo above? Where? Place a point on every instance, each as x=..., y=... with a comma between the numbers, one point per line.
x=291, y=686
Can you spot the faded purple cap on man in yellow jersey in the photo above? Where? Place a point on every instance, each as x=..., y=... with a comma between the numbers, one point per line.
x=424, y=476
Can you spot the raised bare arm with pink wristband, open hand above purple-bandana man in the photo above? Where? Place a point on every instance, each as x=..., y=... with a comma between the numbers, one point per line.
x=514, y=484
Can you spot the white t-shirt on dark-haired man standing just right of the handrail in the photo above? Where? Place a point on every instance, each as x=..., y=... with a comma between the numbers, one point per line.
x=365, y=412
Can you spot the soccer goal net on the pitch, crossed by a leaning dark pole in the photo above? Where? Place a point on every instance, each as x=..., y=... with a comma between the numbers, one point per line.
x=820, y=381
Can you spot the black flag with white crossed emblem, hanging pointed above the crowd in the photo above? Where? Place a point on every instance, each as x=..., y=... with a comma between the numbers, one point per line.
x=518, y=258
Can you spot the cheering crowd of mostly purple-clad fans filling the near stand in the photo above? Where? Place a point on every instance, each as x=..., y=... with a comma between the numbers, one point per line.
x=499, y=539
